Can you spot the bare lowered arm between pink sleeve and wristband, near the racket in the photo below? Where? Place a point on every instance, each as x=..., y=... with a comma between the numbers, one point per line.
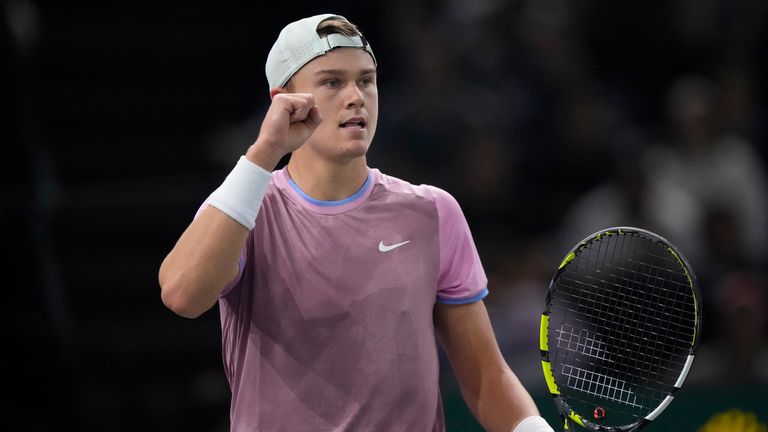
x=493, y=393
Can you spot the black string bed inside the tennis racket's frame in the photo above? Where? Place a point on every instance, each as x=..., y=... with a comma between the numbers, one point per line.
x=643, y=305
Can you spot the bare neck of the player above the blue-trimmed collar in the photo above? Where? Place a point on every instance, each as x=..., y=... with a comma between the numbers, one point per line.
x=328, y=181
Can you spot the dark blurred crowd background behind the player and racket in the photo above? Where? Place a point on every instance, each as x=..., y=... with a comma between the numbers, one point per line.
x=546, y=119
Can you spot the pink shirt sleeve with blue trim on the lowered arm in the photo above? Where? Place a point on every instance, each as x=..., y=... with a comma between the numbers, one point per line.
x=462, y=278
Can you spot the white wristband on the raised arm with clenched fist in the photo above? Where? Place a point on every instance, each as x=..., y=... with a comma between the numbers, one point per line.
x=241, y=193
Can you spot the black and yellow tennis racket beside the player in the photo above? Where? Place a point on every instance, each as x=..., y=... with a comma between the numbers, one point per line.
x=620, y=329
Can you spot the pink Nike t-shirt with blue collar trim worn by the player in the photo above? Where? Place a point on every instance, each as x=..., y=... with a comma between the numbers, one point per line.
x=328, y=326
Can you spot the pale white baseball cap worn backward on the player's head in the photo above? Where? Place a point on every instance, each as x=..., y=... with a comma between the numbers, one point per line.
x=298, y=43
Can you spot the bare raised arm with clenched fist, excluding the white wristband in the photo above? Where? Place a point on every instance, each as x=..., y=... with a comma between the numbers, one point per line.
x=205, y=257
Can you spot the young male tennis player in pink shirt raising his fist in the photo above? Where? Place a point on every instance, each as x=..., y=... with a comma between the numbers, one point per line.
x=332, y=277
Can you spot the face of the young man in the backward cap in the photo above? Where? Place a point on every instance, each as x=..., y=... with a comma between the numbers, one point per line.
x=343, y=82
